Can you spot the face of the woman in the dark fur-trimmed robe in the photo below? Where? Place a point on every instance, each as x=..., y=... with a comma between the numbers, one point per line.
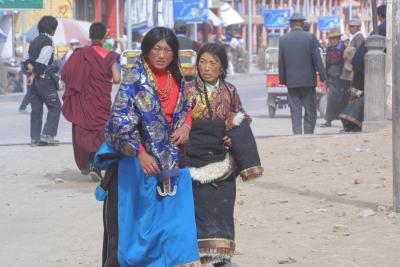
x=210, y=67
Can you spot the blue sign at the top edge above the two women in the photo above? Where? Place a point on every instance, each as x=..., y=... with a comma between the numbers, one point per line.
x=194, y=11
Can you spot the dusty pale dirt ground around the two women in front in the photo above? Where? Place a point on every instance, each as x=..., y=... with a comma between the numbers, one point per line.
x=306, y=210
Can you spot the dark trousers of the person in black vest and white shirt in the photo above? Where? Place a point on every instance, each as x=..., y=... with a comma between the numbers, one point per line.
x=44, y=90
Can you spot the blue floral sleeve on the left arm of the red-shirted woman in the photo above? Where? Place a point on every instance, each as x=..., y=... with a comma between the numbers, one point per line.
x=122, y=131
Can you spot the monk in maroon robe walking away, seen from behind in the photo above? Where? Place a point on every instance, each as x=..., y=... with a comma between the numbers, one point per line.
x=88, y=76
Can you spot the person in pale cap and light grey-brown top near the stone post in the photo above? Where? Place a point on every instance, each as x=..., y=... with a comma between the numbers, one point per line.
x=356, y=39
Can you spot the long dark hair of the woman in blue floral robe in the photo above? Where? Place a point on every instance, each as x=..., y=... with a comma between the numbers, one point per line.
x=153, y=37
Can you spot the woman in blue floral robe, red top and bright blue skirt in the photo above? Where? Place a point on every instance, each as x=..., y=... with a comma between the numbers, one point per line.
x=149, y=211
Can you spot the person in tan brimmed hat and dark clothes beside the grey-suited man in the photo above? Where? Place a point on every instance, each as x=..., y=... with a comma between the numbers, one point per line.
x=338, y=93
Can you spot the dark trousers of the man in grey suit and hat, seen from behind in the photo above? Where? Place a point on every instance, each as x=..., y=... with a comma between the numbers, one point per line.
x=298, y=98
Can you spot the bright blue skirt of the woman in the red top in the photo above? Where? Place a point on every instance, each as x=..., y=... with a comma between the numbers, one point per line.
x=143, y=229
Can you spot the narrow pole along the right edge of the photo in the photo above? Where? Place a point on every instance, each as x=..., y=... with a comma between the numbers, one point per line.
x=396, y=106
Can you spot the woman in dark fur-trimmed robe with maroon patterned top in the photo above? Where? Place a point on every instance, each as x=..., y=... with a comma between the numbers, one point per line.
x=221, y=146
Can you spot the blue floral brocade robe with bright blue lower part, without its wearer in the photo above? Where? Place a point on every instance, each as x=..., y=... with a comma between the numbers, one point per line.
x=152, y=230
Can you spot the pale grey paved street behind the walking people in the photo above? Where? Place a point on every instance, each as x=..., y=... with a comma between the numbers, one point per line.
x=15, y=126
